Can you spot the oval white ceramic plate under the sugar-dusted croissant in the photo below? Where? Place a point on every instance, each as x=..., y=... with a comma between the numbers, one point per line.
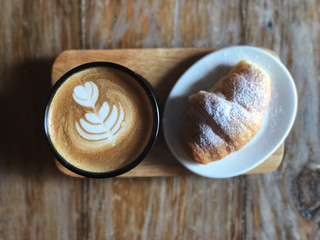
x=277, y=121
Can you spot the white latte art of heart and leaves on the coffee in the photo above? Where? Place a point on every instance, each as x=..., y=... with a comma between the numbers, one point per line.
x=97, y=125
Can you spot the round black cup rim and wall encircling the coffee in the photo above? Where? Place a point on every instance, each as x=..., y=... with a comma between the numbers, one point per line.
x=155, y=121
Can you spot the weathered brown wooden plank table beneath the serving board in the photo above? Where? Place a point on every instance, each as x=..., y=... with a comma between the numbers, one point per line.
x=39, y=202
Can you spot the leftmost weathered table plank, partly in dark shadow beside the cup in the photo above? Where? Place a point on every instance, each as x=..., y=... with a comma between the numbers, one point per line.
x=34, y=196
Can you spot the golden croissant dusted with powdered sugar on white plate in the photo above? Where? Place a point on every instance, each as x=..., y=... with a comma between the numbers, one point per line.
x=227, y=116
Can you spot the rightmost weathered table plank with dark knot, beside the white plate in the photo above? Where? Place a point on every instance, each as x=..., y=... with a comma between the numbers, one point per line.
x=292, y=30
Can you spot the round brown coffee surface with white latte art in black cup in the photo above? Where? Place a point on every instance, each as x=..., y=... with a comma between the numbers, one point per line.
x=100, y=119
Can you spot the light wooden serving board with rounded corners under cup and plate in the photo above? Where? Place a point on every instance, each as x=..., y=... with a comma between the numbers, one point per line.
x=162, y=68
